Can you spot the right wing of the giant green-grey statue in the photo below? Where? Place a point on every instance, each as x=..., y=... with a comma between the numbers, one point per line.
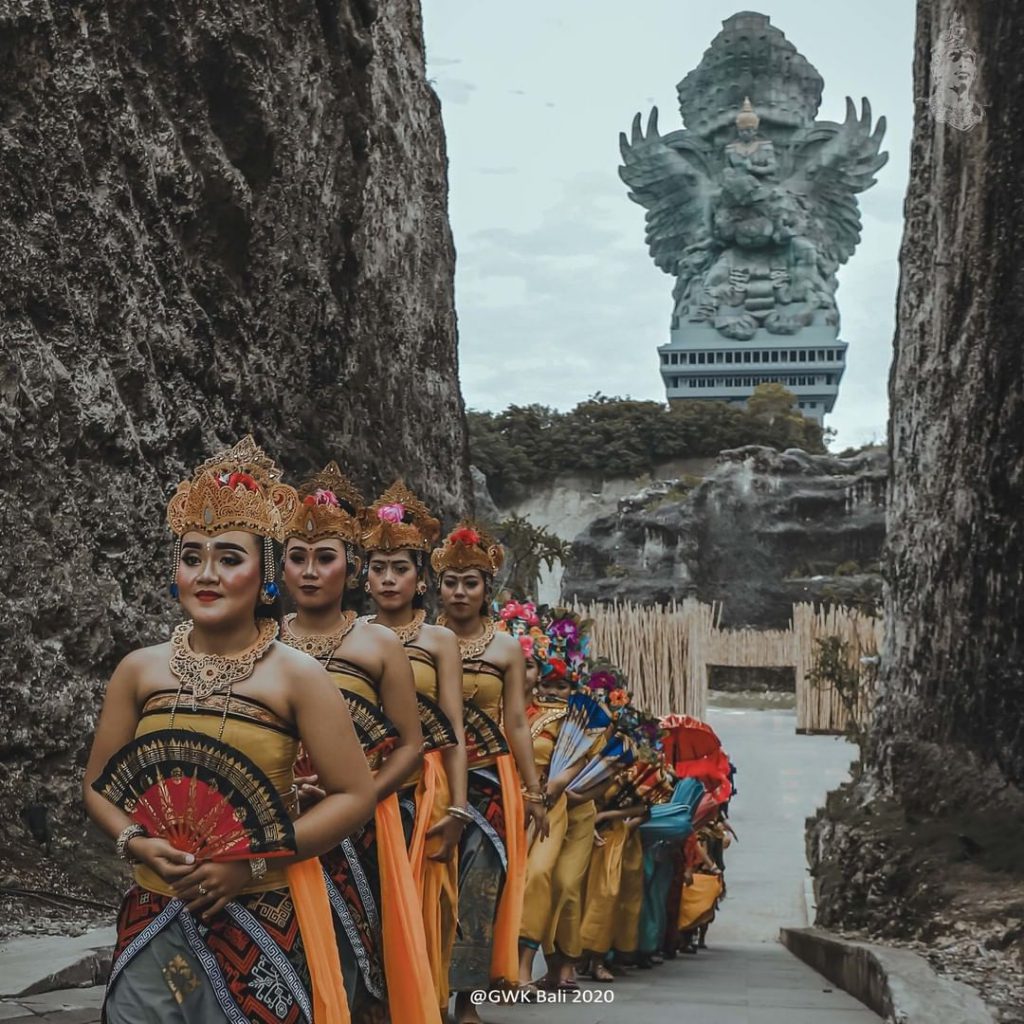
x=832, y=164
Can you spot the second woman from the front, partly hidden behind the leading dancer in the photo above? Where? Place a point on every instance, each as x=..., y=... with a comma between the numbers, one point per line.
x=371, y=884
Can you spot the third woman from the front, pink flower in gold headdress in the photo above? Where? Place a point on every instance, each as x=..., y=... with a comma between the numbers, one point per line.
x=399, y=535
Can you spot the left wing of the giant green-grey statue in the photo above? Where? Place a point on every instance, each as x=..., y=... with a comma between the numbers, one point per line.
x=670, y=178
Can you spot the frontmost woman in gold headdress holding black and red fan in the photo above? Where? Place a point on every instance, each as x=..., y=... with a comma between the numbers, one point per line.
x=203, y=941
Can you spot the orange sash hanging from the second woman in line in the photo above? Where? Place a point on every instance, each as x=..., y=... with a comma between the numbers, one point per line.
x=410, y=990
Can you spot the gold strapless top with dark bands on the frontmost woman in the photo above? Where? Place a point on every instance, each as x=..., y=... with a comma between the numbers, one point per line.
x=270, y=742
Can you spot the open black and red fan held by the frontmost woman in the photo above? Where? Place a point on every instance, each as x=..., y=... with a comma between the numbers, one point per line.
x=201, y=795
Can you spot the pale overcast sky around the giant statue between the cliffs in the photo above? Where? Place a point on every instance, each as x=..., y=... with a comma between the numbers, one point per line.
x=557, y=294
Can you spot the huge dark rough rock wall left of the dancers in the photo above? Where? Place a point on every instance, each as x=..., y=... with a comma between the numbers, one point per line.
x=215, y=219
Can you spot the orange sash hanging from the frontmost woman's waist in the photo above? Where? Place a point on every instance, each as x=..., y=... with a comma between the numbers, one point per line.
x=306, y=882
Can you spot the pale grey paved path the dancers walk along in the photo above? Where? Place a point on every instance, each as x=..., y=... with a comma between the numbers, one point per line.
x=746, y=977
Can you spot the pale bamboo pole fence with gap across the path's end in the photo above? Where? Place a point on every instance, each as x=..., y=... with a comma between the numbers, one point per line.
x=666, y=651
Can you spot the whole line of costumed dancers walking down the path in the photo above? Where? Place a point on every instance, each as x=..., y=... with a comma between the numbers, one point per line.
x=334, y=818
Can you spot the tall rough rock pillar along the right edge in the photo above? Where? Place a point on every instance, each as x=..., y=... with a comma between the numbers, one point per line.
x=947, y=754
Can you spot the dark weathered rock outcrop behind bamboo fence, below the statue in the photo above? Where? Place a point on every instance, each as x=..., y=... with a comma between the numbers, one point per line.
x=762, y=531
